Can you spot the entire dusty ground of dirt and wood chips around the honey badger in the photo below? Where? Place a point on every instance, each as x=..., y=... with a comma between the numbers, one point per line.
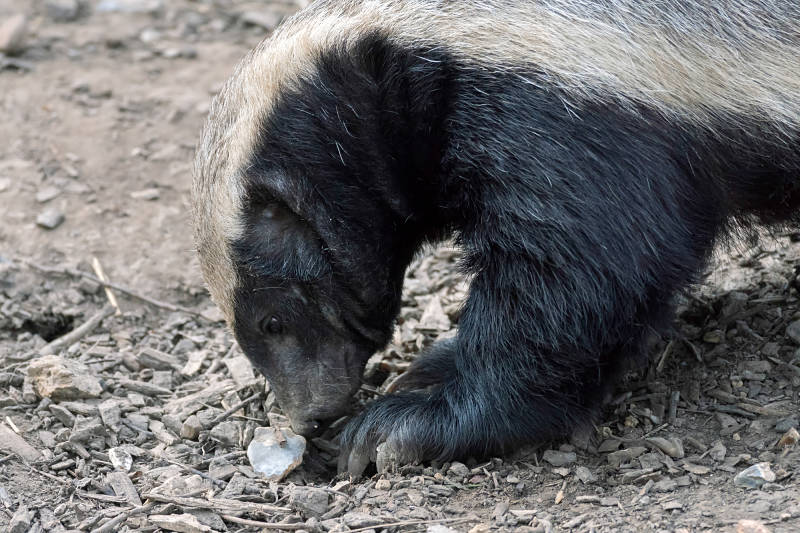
x=101, y=107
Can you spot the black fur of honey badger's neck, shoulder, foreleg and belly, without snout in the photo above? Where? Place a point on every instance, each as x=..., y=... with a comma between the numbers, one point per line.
x=579, y=219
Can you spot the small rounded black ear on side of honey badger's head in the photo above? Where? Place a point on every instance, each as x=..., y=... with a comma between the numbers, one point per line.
x=278, y=243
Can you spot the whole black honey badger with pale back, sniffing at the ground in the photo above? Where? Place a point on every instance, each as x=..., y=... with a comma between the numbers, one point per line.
x=586, y=155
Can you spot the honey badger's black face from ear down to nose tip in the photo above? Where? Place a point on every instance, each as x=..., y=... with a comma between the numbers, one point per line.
x=304, y=325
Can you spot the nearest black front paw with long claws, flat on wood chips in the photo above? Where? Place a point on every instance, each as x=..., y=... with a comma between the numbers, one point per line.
x=458, y=419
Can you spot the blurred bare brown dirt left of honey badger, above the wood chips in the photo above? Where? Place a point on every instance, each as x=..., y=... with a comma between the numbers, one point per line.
x=102, y=102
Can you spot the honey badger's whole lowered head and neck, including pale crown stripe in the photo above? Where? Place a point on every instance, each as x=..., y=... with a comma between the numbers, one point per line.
x=301, y=229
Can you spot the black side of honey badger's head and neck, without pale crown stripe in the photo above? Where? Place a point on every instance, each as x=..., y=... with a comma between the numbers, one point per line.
x=339, y=193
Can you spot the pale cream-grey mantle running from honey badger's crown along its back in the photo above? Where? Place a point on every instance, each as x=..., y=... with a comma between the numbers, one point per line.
x=730, y=69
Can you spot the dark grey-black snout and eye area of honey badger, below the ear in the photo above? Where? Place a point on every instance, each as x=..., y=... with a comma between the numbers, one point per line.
x=300, y=343
